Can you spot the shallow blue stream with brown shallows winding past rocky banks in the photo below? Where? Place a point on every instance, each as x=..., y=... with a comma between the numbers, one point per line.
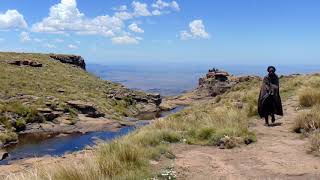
x=38, y=145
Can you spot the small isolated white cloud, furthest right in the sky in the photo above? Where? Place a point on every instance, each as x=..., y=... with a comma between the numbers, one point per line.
x=197, y=31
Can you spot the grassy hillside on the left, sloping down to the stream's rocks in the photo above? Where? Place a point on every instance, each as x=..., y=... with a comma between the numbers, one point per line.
x=24, y=89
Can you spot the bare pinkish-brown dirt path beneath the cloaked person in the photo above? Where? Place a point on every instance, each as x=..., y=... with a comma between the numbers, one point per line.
x=278, y=154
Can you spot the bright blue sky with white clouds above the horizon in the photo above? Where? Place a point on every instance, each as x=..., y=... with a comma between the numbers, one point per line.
x=181, y=31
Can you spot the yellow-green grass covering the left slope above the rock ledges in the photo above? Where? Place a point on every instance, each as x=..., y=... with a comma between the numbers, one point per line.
x=46, y=81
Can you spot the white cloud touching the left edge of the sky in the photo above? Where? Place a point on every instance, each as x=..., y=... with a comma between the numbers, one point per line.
x=12, y=19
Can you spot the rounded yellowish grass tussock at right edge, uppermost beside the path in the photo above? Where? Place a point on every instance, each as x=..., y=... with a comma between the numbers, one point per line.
x=309, y=97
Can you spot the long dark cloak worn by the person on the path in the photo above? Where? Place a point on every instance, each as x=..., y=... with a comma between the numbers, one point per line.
x=269, y=98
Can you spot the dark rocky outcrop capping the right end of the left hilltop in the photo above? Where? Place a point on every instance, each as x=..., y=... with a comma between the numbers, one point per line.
x=70, y=59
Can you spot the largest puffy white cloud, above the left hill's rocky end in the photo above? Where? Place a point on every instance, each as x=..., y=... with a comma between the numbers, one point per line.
x=66, y=17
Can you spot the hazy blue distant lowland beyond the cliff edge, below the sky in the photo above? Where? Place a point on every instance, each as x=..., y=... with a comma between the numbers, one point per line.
x=173, y=79
